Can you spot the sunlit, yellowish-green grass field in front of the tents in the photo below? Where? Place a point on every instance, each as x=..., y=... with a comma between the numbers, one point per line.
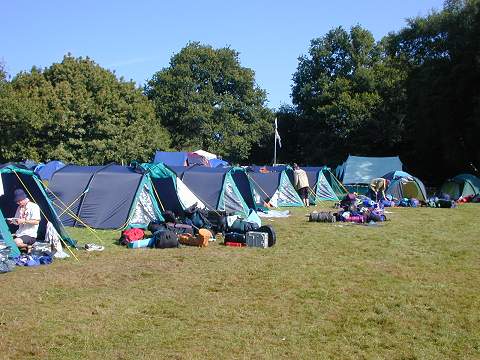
x=407, y=289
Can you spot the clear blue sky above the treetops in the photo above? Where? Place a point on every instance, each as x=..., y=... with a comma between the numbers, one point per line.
x=138, y=38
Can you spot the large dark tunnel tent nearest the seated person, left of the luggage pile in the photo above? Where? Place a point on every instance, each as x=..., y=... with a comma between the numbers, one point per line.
x=104, y=197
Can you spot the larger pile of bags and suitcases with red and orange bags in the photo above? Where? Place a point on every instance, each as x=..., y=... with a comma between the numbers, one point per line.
x=198, y=227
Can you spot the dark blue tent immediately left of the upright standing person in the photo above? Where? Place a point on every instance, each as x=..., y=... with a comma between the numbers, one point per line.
x=274, y=187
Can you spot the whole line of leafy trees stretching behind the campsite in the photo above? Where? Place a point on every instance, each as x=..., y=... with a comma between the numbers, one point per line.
x=415, y=93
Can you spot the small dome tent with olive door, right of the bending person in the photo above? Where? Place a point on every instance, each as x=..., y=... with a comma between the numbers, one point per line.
x=403, y=185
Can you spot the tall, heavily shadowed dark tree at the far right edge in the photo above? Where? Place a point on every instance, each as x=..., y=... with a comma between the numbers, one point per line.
x=441, y=52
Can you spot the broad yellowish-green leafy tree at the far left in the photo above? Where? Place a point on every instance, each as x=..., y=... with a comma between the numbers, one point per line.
x=78, y=112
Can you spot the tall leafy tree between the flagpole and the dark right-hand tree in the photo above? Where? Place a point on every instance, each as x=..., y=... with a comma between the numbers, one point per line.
x=343, y=94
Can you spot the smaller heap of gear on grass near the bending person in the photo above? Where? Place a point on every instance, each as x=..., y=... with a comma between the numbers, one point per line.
x=353, y=208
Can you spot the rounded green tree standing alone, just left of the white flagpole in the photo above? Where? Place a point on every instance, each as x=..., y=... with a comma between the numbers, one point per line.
x=207, y=100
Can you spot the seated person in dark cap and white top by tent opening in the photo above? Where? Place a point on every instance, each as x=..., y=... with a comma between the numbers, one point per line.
x=27, y=217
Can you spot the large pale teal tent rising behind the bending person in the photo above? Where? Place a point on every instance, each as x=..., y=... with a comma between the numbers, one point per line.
x=361, y=170
